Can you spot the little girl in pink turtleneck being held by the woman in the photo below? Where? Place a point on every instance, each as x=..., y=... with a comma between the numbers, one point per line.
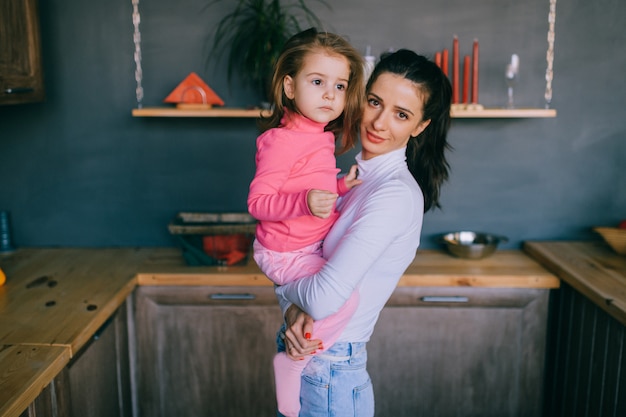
x=317, y=94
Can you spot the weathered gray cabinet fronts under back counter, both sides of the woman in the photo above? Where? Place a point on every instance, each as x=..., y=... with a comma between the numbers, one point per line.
x=436, y=351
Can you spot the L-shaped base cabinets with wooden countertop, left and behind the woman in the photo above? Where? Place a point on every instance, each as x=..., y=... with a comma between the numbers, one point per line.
x=135, y=331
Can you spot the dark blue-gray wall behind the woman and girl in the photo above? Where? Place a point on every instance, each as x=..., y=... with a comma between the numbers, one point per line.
x=78, y=170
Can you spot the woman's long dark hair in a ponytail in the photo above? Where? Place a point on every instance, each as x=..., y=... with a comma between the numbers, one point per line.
x=425, y=153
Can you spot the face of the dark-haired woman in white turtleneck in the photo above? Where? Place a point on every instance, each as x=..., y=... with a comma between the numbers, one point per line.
x=393, y=113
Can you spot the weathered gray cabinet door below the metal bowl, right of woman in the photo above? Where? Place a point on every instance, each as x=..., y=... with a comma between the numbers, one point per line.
x=443, y=352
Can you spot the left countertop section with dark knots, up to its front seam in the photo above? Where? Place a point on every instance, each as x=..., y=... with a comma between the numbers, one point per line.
x=61, y=297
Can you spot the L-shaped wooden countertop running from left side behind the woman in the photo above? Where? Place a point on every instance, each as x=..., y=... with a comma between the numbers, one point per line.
x=55, y=299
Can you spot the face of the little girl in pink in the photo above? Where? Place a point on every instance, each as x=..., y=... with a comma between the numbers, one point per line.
x=319, y=88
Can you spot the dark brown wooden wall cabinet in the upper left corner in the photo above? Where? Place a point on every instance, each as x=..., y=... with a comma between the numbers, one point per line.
x=21, y=78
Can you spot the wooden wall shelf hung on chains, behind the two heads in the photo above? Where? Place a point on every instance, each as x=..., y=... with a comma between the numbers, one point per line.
x=478, y=113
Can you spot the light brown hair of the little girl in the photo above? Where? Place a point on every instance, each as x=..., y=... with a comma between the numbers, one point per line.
x=291, y=60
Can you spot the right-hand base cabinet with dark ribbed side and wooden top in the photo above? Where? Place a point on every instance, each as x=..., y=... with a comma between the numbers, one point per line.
x=586, y=372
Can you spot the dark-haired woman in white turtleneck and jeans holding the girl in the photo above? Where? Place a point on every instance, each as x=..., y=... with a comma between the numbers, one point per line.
x=402, y=165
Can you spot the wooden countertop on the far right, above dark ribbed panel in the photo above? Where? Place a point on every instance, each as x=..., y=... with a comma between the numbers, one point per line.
x=592, y=268
